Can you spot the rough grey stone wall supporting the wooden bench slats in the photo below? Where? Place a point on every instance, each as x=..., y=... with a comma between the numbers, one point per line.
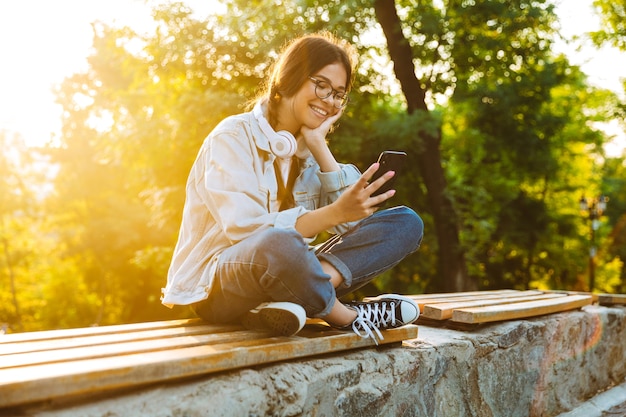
x=537, y=367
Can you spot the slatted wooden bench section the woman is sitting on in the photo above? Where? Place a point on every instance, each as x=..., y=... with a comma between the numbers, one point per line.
x=55, y=364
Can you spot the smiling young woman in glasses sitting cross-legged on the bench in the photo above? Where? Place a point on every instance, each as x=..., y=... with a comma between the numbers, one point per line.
x=264, y=184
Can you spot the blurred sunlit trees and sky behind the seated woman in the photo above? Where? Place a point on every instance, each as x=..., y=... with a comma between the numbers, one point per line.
x=512, y=112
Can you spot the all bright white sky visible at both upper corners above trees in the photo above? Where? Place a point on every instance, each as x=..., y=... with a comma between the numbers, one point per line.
x=44, y=41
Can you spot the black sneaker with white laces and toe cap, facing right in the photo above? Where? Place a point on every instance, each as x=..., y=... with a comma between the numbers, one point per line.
x=387, y=311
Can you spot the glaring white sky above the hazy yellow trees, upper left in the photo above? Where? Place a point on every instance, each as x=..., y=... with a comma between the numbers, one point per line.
x=44, y=41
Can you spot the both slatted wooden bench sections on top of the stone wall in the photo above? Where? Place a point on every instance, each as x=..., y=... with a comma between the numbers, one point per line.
x=58, y=364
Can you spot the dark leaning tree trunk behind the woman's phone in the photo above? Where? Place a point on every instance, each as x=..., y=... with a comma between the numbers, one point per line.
x=451, y=259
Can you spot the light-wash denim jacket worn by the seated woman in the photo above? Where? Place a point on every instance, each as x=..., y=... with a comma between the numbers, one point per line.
x=230, y=193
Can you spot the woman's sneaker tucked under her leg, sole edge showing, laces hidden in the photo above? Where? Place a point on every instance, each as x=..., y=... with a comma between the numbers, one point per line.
x=279, y=318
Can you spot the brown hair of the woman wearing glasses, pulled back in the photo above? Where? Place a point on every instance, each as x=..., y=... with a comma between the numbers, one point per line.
x=302, y=58
